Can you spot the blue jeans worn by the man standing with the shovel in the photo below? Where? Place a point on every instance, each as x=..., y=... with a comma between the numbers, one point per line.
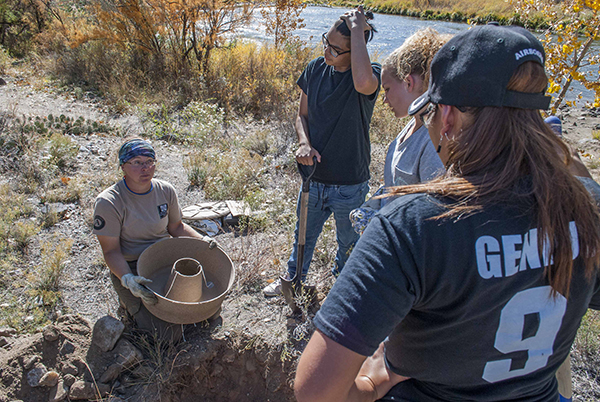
x=325, y=199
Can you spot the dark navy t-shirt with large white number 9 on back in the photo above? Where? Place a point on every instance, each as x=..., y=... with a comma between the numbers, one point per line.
x=464, y=305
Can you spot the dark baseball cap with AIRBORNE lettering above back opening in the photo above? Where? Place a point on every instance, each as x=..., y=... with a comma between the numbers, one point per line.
x=474, y=67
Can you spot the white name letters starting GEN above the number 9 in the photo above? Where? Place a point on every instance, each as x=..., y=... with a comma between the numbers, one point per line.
x=517, y=252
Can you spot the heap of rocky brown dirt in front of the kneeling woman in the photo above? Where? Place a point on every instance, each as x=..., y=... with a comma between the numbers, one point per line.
x=61, y=362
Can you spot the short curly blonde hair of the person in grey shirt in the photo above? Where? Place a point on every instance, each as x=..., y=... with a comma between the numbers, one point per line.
x=415, y=54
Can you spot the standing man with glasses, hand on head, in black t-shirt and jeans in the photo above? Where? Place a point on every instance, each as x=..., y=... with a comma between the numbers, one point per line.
x=339, y=91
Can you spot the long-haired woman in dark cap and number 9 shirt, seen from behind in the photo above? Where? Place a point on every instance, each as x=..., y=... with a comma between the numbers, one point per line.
x=471, y=286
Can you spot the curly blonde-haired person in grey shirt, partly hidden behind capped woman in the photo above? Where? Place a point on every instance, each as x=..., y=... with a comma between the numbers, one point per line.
x=411, y=157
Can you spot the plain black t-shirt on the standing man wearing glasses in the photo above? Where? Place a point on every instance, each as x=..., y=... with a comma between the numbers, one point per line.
x=338, y=122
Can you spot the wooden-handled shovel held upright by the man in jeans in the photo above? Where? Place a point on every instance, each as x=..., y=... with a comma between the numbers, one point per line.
x=292, y=288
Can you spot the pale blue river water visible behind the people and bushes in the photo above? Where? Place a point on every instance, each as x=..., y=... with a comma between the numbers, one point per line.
x=392, y=31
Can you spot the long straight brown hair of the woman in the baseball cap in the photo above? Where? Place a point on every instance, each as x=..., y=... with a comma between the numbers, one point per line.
x=497, y=149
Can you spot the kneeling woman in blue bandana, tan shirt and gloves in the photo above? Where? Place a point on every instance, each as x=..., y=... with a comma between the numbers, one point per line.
x=130, y=216
